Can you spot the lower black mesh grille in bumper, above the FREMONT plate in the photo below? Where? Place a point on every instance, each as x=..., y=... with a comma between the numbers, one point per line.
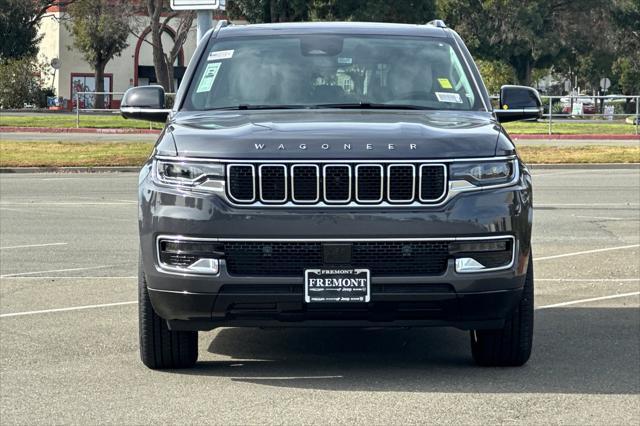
x=383, y=258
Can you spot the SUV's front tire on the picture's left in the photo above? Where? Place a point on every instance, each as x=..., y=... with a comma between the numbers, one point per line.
x=161, y=348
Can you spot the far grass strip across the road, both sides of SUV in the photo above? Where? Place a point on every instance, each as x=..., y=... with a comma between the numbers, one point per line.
x=117, y=122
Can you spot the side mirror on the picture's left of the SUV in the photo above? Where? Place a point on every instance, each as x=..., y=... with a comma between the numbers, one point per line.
x=144, y=103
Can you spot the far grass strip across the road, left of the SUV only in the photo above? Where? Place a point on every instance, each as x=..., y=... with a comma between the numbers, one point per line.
x=67, y=120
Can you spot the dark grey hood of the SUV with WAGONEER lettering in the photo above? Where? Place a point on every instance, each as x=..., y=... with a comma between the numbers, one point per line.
x=339, y=134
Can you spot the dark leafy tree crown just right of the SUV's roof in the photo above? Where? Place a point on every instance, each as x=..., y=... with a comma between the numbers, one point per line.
x=536, y=33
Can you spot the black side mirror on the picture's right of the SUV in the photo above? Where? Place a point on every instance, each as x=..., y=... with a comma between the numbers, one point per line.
x=518, y=103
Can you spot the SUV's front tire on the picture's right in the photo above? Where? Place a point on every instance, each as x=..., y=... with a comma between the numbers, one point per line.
x=511, y=345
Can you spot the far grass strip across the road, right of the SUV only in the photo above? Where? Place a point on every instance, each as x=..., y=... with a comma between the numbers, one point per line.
x=597, y=127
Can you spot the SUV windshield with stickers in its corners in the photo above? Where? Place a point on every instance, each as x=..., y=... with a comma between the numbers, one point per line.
x=315, y=71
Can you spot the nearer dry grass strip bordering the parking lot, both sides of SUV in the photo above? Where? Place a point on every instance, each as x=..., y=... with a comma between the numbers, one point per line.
x=48, y=154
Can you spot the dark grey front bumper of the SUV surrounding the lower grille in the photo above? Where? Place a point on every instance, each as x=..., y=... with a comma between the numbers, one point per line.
x=470, y=300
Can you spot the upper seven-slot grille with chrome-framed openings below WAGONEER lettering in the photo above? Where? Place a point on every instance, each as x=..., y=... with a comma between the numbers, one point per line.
x=337, y=184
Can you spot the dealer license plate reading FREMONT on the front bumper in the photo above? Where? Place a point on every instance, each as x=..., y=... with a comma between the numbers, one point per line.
x=336, y=285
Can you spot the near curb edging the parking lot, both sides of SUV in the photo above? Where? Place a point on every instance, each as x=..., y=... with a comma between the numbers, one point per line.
x=136, y=169
